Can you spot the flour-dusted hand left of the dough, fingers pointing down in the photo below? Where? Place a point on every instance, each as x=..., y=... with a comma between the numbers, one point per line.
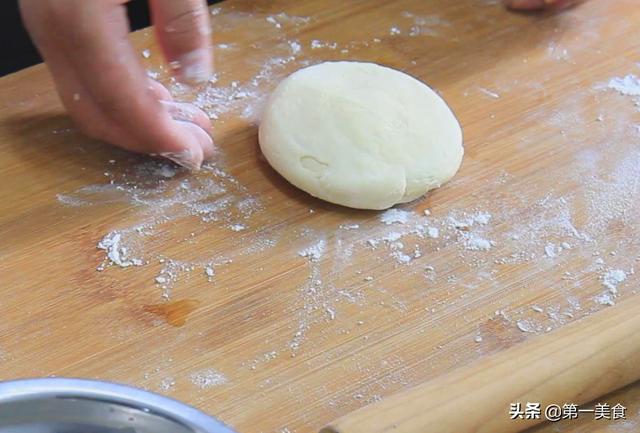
x=105, y=88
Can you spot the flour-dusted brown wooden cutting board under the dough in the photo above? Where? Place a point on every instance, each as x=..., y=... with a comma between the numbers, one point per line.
x=276, y=312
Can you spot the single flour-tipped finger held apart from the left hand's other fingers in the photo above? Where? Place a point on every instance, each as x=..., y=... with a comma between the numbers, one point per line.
x=184, y=32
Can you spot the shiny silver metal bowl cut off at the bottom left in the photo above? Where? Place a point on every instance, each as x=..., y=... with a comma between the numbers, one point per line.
x=87, y=406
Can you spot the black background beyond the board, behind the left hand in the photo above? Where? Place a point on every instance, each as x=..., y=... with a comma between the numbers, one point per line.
x=17, y=51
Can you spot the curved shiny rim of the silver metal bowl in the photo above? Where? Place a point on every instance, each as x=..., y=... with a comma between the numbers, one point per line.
x=107, y=391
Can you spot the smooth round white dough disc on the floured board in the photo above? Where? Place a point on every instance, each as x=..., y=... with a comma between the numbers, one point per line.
x=360, y=135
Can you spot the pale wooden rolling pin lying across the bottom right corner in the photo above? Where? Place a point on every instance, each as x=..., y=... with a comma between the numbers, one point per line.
x=578, y=363
